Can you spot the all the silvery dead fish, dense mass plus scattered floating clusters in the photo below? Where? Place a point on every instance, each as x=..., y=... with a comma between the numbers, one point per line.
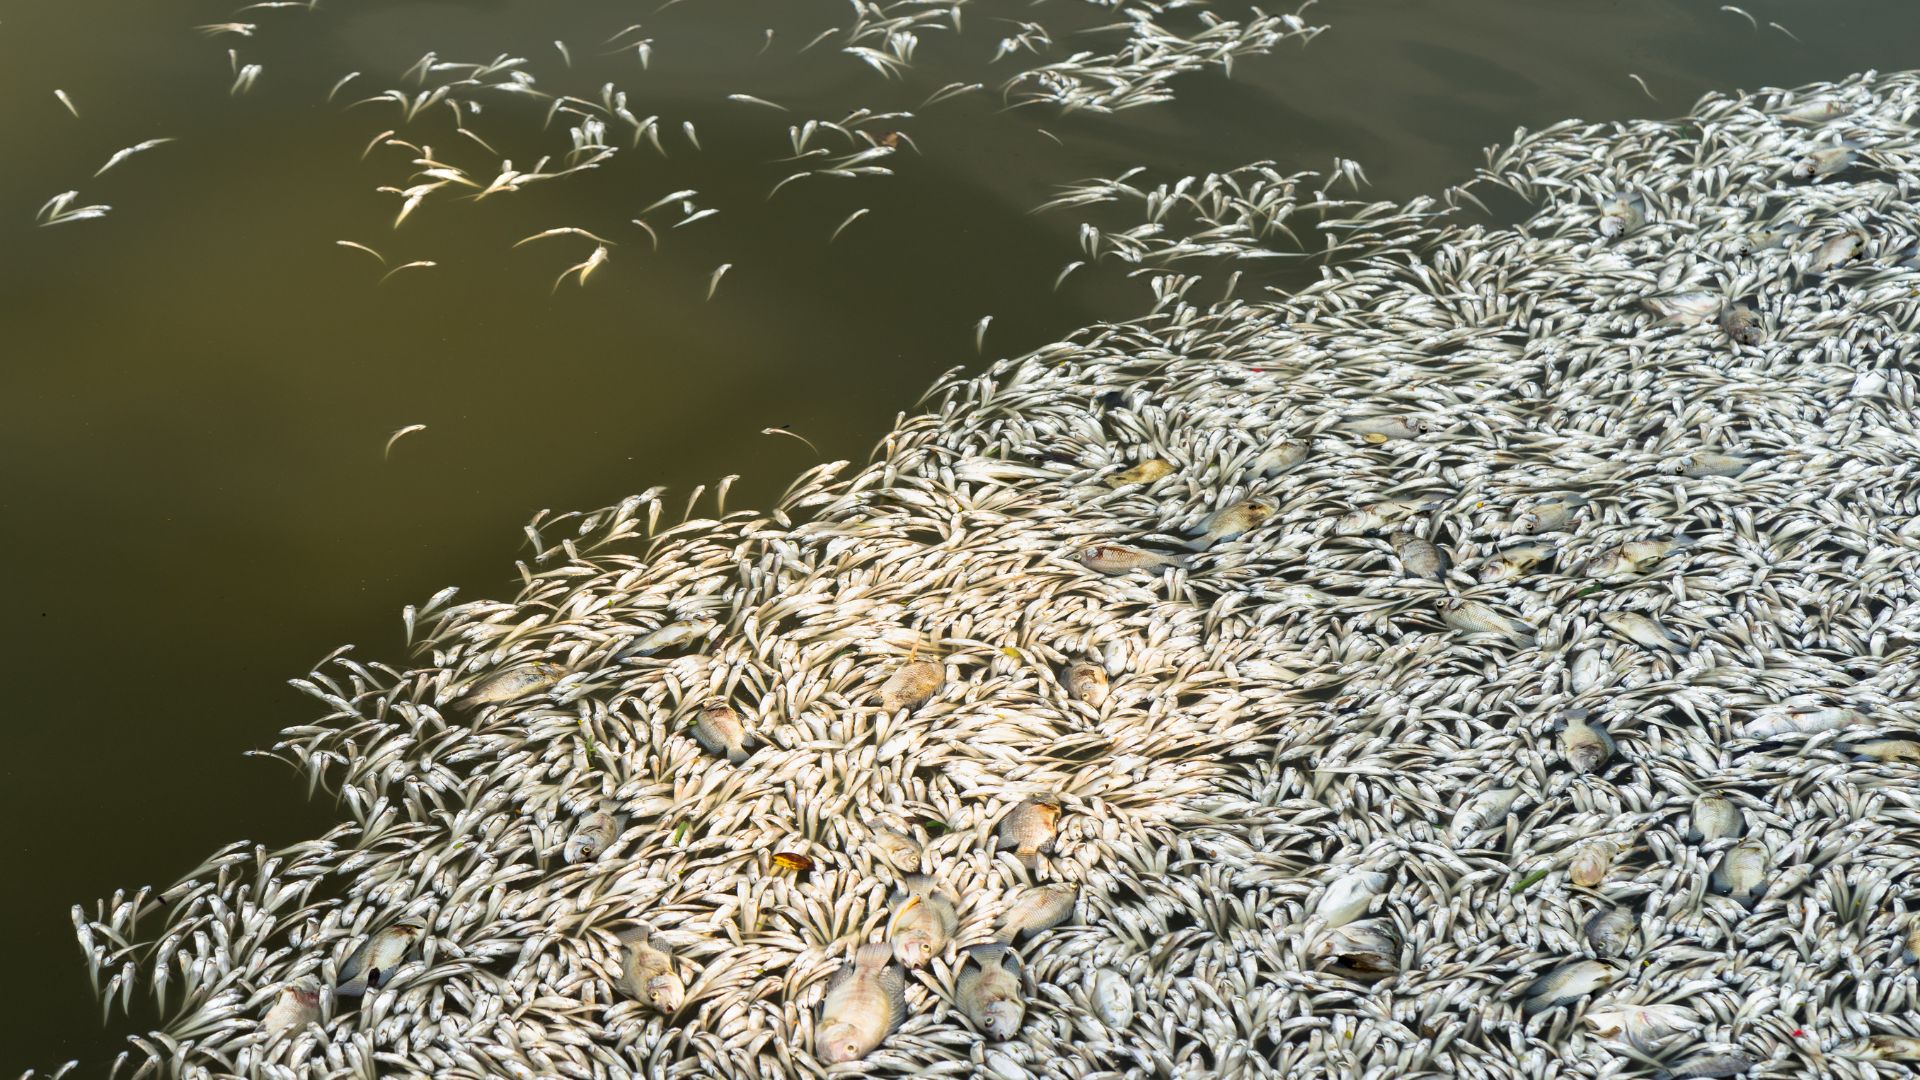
x=1487, y=662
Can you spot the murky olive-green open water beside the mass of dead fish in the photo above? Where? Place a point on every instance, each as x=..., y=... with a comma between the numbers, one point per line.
x=195, y=391
